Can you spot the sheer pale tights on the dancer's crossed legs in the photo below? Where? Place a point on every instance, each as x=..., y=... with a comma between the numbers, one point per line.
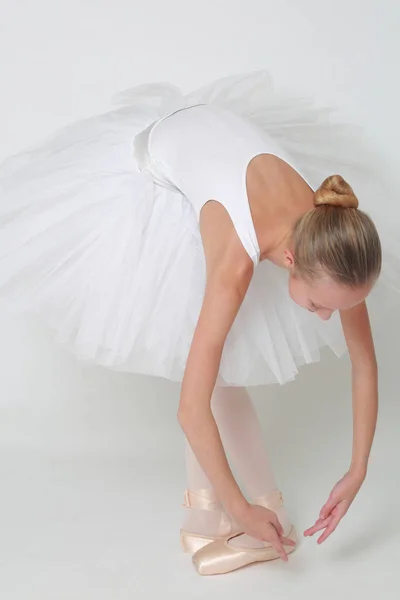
x=242, y=439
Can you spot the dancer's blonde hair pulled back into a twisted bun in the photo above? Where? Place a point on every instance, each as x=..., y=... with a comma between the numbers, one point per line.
x=336, y=238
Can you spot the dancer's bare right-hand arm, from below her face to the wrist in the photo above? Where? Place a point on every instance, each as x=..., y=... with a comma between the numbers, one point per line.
x=357, y=330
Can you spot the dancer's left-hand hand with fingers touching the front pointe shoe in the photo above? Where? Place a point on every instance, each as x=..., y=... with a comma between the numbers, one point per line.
x=263, y=524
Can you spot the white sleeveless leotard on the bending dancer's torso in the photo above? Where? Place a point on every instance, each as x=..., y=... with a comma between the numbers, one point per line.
x=204, y=151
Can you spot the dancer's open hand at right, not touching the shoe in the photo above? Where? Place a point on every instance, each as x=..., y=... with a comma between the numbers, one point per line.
x=338, y=504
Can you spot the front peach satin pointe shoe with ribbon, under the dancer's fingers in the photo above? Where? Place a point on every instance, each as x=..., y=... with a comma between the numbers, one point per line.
x=220, y=557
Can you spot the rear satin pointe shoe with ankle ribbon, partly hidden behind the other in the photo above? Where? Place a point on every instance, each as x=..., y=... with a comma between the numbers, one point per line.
x=204, y=499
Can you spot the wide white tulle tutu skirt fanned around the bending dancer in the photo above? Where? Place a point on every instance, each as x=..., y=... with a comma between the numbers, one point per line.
x=113, y=262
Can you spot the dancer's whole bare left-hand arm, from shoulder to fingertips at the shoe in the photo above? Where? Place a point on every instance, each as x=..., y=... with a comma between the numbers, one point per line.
x=229, y=272
